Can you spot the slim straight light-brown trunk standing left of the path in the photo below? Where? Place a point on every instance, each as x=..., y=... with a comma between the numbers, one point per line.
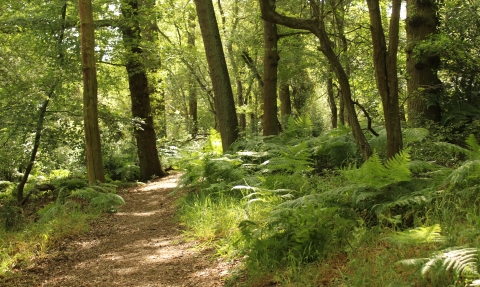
x=93, y=149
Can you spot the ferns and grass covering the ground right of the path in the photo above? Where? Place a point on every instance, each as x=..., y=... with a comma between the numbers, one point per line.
x=307, y=211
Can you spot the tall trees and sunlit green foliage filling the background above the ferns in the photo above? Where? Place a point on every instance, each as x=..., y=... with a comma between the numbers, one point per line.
x=342, y=69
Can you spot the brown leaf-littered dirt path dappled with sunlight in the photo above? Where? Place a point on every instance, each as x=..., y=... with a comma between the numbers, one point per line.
x=141, y=245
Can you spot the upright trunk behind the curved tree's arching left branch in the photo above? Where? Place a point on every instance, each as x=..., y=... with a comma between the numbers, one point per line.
x=270, y=69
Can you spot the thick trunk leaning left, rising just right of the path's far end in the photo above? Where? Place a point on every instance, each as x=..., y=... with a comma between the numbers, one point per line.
x=224, y=102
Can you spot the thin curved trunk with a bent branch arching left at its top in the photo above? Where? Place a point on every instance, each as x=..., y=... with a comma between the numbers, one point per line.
x=317, y=27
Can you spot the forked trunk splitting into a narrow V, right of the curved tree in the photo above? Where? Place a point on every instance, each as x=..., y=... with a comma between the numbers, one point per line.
x=385, y=63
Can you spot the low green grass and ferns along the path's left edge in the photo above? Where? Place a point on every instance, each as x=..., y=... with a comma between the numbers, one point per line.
x=27, y=232
